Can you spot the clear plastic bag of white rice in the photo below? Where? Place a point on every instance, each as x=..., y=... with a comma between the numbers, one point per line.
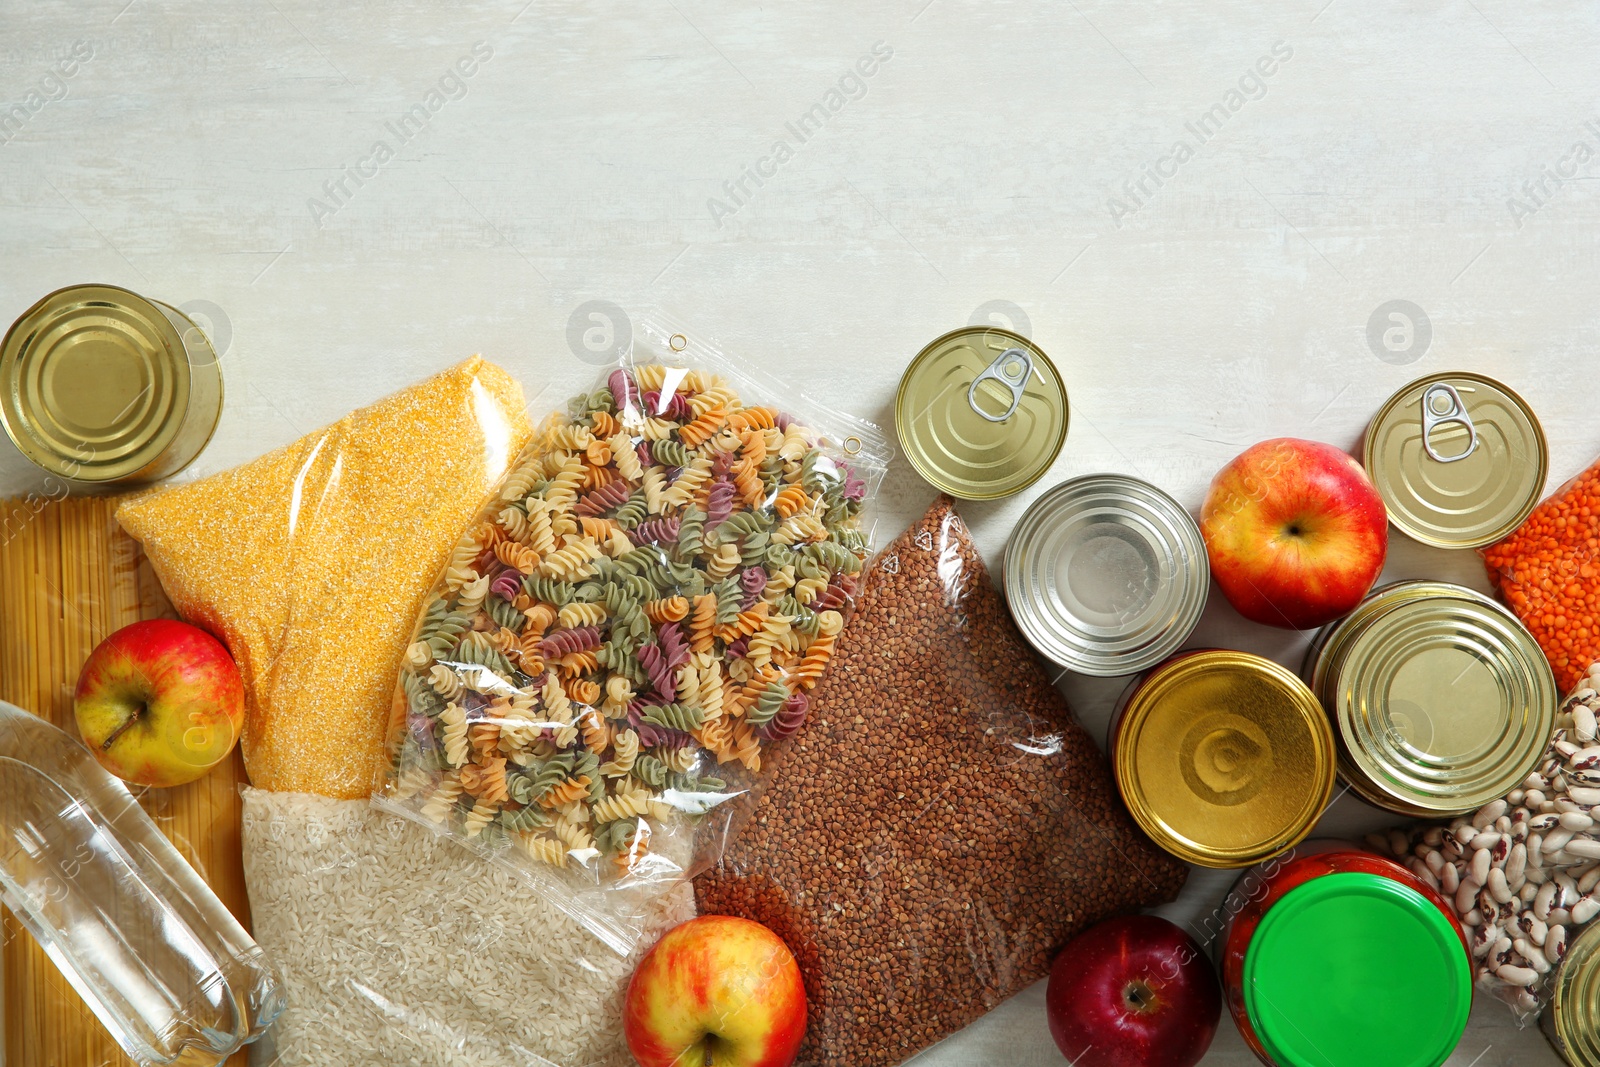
x=398, y=946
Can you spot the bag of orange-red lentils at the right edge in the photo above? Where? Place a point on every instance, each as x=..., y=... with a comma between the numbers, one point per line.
x=1548, y=572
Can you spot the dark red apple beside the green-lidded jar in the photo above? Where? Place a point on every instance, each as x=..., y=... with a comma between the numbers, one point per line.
x=1134, y=993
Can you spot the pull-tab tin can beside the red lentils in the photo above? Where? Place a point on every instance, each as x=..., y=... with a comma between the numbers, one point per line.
x=1458, y=458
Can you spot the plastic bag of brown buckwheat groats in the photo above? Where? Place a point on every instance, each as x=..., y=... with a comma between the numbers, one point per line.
x=940, y=826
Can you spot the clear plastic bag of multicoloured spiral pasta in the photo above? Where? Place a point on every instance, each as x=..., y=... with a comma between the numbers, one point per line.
x=633, y=625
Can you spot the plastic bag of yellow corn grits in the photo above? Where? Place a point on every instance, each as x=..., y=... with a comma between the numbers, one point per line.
x=313, y=562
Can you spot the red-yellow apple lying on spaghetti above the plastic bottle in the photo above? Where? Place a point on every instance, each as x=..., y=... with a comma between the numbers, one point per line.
x=159, y=703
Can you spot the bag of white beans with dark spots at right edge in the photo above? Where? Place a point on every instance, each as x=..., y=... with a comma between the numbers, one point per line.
x=1524, y=873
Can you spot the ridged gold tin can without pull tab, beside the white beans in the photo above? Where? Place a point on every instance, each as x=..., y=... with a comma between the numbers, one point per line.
x=1441, y=701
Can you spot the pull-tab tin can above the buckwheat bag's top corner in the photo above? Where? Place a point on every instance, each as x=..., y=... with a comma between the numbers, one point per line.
x=982, y=414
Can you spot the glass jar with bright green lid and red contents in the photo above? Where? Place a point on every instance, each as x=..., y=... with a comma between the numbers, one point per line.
x=1343, y=957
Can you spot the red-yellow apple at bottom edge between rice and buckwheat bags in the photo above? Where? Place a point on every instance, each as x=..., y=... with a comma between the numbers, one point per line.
x=716, y=991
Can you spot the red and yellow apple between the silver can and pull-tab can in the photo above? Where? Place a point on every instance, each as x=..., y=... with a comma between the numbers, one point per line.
x=1297, y=533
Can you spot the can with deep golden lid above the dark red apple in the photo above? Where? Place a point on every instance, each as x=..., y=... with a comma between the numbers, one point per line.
x=1225, y=759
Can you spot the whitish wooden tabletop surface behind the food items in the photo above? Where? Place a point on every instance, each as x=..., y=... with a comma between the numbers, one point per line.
x=977, y=164
